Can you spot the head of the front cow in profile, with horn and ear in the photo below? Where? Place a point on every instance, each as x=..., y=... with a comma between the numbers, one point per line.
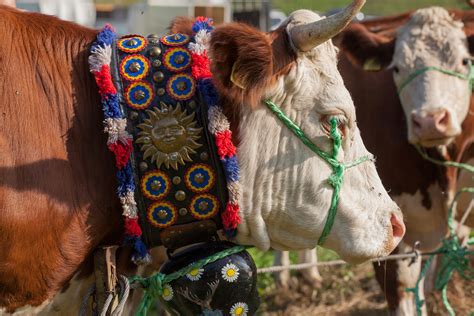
x=286, y=196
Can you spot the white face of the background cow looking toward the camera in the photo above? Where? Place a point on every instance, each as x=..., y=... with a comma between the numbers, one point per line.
x=435, y=103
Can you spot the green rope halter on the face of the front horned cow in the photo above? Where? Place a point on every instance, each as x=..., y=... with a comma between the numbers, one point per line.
x=338, y=168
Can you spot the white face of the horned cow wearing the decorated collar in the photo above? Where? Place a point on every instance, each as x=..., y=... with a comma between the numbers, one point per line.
x=286, y=196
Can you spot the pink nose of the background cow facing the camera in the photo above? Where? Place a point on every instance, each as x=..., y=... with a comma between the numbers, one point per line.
x=432, y=125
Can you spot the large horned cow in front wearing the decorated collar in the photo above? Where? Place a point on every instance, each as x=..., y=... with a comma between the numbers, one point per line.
x=57, y=199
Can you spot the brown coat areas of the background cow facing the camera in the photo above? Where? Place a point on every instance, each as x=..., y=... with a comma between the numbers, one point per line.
x=379, y=109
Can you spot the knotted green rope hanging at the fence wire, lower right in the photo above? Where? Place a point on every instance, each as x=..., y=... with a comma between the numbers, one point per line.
x=455, y=256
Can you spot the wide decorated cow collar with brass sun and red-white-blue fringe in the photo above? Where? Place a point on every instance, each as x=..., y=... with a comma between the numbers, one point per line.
x=177, y=167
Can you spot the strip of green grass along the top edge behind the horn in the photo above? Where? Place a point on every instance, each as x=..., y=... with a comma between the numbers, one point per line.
x=372, y=7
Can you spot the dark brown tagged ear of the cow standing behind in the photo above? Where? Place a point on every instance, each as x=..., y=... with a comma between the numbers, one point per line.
x=369, y=50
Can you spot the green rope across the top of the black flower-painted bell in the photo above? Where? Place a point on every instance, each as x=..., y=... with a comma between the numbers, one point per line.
x=153, y=285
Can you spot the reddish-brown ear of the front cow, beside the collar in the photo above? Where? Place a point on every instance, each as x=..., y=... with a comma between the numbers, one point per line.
x=242, y=63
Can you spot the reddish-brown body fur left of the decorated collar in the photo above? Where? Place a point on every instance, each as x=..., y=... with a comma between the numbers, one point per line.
x=57, y=186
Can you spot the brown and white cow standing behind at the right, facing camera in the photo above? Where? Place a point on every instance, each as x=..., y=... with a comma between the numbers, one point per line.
x=434, y=110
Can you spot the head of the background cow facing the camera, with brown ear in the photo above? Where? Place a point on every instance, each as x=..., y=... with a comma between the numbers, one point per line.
x=435, y=101
